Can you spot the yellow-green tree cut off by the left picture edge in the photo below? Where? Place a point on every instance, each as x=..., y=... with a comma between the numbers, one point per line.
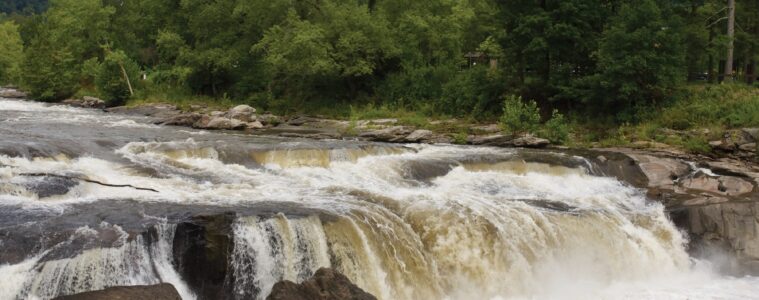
x=11, y=52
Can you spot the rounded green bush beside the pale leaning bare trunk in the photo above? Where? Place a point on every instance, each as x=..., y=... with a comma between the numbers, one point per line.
x=110, y=78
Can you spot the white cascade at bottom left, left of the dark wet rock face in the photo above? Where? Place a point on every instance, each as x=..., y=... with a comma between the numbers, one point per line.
x=130, y=262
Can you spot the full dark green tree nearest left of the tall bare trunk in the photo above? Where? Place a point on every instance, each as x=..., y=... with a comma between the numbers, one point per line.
x=640, y=57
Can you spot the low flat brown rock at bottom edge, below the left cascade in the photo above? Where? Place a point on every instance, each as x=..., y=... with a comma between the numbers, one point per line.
x=163, y=291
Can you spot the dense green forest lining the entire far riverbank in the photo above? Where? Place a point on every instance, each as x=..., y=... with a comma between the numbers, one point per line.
x=448, y=57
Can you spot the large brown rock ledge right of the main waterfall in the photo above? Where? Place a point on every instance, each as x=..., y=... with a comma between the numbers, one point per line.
x=715, y=201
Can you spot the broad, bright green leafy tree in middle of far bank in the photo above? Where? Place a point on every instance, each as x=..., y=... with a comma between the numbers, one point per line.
x=341, y=46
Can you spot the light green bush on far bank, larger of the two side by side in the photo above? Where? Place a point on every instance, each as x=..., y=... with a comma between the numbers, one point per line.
x=519, y=116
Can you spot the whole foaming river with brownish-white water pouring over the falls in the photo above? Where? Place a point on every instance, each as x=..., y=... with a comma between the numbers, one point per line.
x=401, y=221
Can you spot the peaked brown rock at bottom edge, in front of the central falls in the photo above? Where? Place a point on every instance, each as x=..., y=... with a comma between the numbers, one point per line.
x=326, y=284
